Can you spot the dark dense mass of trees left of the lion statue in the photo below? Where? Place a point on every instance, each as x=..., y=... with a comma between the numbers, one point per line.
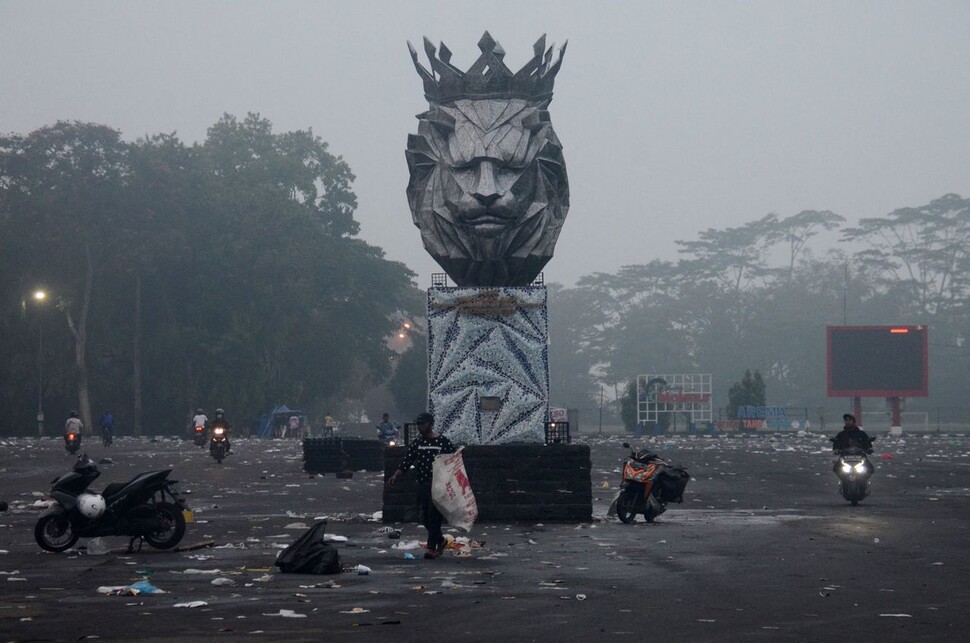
x=225, y=273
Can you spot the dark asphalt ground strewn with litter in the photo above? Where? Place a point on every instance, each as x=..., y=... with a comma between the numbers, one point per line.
x=763, y=548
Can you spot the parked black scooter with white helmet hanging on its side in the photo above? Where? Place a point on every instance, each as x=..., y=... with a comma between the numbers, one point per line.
x=145, y=507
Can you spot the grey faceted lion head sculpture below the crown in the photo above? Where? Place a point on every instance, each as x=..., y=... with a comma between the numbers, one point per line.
x=488, y=186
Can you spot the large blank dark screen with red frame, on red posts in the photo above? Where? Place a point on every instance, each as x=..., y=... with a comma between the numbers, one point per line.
x=877, y=361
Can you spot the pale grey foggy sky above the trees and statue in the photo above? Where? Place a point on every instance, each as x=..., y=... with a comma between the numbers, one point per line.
x=674, y=117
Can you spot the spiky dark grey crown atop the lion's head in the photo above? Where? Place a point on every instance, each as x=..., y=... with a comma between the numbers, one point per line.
x=488, y=77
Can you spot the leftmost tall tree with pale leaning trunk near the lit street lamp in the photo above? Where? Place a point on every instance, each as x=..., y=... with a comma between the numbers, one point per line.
x=65, y=183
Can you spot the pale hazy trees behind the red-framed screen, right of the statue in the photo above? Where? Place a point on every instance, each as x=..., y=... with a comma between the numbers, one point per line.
x=758, y=297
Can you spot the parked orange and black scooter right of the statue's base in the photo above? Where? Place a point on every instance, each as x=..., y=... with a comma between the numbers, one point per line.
x=649, y=482
